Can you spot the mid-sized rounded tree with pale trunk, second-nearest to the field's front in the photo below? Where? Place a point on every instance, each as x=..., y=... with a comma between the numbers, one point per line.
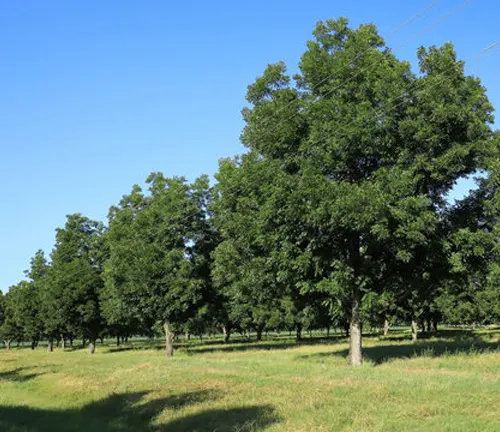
x=154, y=270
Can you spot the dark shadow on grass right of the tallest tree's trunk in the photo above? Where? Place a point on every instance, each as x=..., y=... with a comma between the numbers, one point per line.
x=448, y=342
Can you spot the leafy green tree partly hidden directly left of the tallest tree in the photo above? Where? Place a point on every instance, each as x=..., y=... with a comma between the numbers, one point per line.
x=243, y=269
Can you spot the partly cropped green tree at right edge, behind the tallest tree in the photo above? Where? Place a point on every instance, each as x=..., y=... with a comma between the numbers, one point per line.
x=471, y=295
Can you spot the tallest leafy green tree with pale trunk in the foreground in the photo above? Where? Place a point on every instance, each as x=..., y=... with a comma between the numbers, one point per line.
x=370, y=150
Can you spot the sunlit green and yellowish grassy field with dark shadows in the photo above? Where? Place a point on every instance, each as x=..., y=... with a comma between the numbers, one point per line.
x=450, y=382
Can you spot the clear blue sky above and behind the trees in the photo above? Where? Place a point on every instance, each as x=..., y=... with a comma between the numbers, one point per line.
x=97, y=94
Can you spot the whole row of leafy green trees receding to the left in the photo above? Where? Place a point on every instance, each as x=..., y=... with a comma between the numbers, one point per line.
x=337, y=216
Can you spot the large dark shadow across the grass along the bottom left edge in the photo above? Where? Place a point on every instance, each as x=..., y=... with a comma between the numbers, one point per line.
x=134, y=412
